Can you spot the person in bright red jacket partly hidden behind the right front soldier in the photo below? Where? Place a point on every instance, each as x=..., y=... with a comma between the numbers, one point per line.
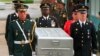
x=69, y=22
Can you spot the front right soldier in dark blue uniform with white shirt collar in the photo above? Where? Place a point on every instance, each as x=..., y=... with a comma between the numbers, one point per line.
x=84, y=34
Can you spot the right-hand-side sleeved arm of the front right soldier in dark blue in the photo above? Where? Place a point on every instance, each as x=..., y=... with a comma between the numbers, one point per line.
x=94, y=40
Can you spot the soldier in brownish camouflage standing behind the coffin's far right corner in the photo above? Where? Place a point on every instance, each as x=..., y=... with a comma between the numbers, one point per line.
x=59, y=12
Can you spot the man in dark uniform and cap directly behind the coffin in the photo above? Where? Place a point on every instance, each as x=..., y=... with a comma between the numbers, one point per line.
x=46, y=20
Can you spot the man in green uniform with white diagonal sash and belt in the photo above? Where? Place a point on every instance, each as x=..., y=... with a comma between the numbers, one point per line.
x=21, y=34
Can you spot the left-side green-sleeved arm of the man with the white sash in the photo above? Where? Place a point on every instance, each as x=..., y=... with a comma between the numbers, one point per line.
x=11, y=39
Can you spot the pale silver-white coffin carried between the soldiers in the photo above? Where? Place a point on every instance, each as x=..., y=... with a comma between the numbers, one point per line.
x=53, y=42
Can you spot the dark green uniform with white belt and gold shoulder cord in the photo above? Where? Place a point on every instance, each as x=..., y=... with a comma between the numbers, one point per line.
x=16, y=39
